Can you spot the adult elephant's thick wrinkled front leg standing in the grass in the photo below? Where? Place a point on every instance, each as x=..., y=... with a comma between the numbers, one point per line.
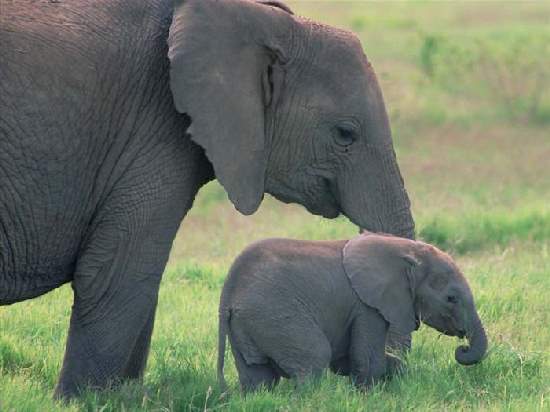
x=116, y=287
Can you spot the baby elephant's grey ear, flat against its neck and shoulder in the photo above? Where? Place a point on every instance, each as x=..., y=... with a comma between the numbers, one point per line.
x=381, y=272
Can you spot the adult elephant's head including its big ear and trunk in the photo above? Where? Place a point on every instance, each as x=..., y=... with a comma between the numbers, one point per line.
x=289, y=107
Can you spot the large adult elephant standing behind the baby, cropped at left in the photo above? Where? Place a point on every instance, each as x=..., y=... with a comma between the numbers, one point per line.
x=115, y=112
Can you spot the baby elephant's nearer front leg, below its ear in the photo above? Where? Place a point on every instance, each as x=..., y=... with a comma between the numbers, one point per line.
x=367, y=348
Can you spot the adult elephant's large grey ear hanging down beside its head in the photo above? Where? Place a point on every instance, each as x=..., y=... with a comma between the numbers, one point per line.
x=226, y=62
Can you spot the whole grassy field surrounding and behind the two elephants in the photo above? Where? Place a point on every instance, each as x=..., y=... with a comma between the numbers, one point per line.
x=467, y=87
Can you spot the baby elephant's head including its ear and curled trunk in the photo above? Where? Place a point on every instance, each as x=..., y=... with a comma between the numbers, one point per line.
x=409, y=281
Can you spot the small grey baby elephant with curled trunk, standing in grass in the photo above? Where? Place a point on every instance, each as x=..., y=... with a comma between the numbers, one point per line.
x=294, y=308
